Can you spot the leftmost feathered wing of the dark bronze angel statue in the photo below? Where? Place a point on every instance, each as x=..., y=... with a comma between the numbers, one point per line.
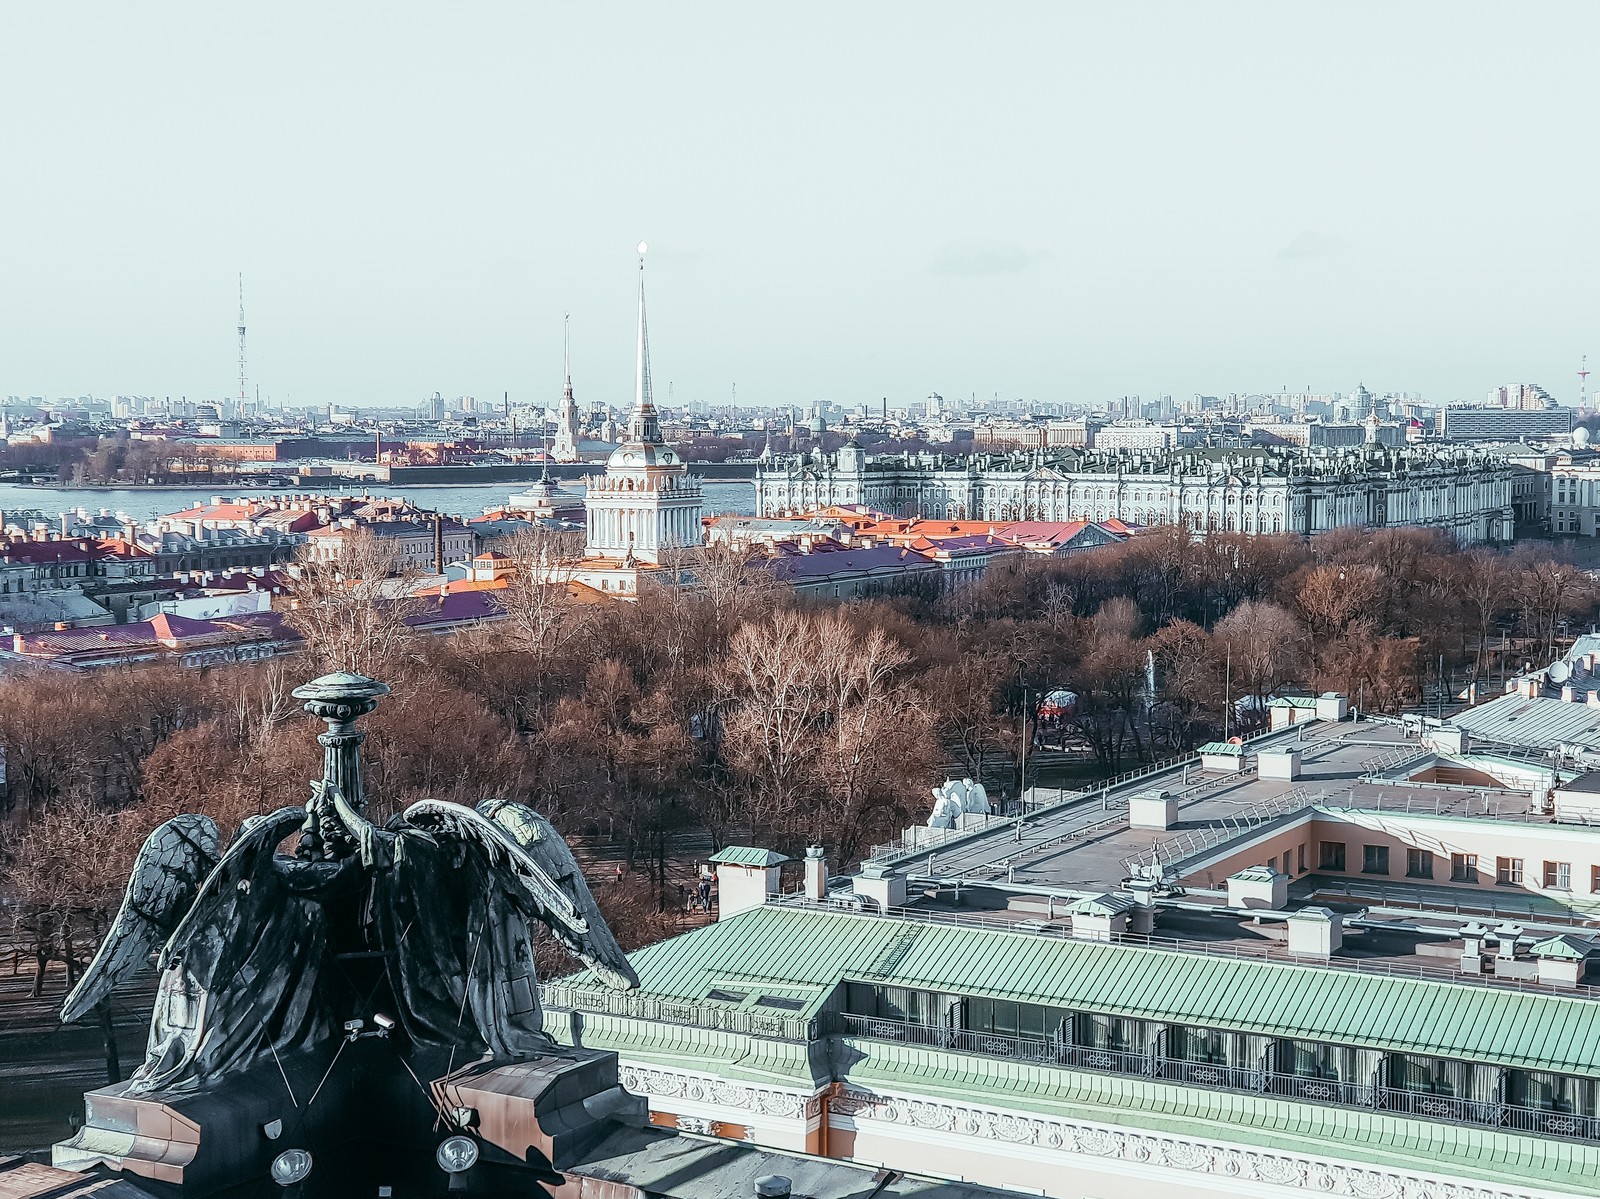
x=167, y=876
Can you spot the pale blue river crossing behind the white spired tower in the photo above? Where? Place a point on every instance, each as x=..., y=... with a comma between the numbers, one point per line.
x=465, y=500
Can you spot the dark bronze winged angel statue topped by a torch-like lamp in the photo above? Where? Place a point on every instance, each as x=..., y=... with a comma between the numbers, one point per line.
x=430, y=920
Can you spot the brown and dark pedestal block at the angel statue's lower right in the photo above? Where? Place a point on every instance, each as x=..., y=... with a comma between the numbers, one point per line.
x=550, y=1110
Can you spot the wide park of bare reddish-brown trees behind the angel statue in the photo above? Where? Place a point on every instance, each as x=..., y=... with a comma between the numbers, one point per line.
x=722, y=710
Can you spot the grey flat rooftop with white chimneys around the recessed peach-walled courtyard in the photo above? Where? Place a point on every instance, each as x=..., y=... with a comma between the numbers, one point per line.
x=1369, y=787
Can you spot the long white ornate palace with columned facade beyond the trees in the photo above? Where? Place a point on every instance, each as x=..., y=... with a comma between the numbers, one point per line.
x=1266, y=491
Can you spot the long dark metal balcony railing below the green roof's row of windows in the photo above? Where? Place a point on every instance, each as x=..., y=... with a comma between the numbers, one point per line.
x=1222, y=1077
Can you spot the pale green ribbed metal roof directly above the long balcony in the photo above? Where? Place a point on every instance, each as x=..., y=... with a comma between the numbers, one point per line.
x=822, y=947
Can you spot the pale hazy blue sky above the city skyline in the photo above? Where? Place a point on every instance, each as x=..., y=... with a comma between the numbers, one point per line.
x=844, y=201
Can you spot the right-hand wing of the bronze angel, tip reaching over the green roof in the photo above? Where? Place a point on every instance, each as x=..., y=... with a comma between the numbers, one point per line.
x=574, y=926
